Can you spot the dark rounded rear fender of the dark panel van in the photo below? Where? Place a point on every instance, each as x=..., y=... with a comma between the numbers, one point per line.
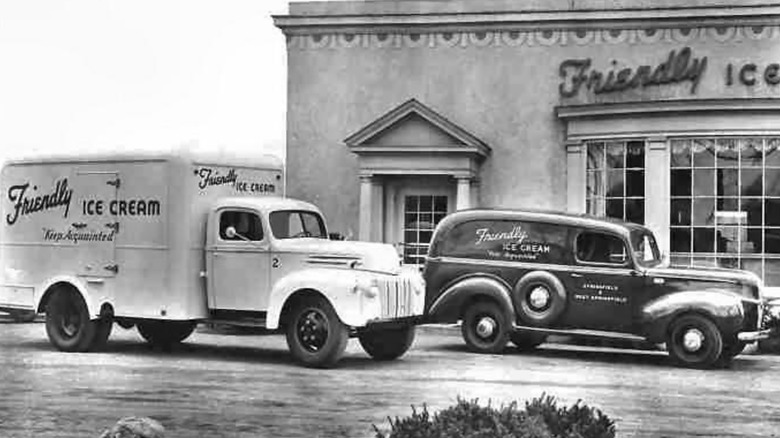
x=448, y=307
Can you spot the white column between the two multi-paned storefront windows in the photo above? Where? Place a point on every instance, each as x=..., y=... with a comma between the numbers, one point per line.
x=657, y=180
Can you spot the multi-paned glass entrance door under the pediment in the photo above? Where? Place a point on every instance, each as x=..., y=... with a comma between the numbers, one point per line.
x=421, y=215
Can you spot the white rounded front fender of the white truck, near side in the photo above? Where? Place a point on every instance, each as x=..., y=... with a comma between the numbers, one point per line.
x=336, y=285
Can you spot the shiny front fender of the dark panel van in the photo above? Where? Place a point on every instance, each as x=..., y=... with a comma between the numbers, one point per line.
x=723, y=307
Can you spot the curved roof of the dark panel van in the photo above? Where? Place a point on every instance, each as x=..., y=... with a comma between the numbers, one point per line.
x=553, y=217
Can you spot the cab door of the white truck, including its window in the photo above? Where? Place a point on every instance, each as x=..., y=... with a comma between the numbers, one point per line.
x=239, y=265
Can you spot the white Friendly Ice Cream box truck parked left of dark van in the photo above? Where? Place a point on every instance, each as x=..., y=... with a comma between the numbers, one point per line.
x=166, y=241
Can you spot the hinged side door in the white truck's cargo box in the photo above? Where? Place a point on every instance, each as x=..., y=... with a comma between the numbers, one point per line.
x=93, y=229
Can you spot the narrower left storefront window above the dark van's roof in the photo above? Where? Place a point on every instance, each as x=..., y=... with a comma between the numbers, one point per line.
x=616, y=180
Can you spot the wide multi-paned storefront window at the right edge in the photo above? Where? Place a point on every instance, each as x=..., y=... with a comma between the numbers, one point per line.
x=725, y=203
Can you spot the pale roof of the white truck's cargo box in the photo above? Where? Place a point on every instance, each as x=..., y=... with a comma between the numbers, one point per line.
x=184, y=156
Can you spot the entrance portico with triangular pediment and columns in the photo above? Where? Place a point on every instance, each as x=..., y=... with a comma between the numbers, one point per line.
x=407, y=158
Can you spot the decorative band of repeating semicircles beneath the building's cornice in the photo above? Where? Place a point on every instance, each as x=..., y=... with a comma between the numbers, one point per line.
x=545, y=37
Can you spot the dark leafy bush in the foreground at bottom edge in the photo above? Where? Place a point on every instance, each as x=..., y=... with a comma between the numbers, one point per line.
x=541, y=418
